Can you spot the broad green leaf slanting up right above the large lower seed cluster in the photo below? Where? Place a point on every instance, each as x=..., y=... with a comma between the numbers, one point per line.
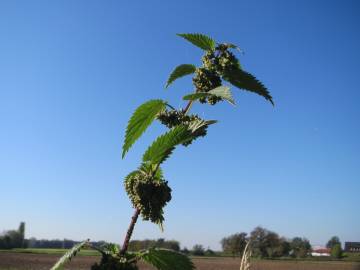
x=163, y=146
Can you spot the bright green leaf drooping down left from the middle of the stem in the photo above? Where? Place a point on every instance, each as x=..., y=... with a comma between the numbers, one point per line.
x=140, y=121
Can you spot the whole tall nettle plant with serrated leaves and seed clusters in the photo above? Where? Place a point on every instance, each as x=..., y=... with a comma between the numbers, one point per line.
x=146, y=187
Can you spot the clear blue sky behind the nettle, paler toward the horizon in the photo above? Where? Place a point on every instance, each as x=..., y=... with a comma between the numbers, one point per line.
x=72, y=72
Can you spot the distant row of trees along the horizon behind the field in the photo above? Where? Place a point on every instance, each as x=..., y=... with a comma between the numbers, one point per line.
x=263, y=243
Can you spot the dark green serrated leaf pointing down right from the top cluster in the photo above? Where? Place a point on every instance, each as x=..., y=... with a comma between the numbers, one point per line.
x=246, y=81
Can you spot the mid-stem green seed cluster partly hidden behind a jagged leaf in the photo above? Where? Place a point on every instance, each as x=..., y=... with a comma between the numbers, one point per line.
x=172, y=118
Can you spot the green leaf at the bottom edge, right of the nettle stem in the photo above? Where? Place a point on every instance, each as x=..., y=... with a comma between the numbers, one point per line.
x=165, y=259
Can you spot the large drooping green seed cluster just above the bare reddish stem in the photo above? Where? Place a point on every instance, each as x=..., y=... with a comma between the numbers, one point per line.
x=148, y=192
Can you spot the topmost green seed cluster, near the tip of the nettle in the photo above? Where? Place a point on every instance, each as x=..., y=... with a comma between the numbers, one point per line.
x=216, y=64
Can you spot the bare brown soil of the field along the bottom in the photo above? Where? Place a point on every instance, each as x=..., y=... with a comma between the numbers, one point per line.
x=17, y=261
